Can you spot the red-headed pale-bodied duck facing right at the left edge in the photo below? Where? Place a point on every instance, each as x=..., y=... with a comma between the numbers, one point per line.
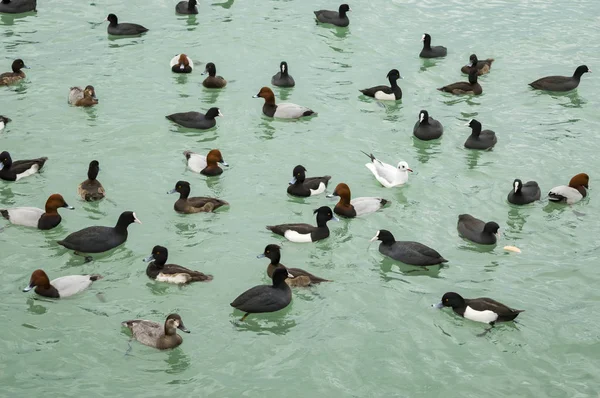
x=38, y=218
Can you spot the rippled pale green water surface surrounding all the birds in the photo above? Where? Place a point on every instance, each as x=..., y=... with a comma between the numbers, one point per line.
x=370, y=333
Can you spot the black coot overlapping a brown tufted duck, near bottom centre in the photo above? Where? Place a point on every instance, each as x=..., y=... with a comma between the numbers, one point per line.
x=265, y=298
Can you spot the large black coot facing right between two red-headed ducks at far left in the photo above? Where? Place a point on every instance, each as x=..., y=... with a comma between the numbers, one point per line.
x=98, y=239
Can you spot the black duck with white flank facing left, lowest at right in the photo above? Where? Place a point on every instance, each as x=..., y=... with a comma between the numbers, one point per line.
x=484, y=310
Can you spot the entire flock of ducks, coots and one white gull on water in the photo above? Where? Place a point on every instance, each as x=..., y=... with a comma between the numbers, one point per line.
x=274, y=297
